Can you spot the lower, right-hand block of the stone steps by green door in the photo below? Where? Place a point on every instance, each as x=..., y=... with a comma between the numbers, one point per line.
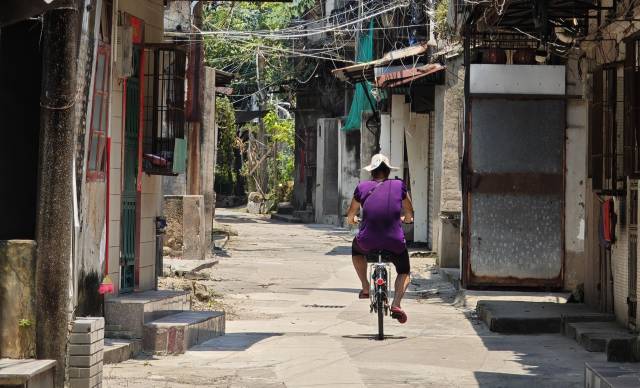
x=176, y=333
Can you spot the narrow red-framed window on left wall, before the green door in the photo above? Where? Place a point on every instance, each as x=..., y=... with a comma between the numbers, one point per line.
x=99, y=119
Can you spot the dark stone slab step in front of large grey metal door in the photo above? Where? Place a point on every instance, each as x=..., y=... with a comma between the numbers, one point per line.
x=522, y=317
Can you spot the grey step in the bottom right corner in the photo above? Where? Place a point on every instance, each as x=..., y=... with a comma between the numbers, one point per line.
x=611, y=375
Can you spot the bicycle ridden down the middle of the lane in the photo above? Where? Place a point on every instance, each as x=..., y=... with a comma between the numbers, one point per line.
x=379, y=286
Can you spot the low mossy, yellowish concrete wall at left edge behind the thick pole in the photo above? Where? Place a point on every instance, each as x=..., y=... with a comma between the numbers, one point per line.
x=17, y=298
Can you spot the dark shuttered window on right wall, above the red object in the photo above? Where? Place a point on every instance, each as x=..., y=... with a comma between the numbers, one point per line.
x=607, y=132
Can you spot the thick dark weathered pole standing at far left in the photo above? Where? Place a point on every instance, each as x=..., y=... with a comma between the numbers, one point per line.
x=55, y=218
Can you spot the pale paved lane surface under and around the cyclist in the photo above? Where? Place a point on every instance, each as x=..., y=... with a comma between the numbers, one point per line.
x=296, y=322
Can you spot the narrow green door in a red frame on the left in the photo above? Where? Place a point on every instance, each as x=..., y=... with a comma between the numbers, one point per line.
x=129, y=182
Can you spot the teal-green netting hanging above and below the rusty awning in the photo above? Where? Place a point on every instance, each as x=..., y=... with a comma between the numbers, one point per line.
x=360, y=102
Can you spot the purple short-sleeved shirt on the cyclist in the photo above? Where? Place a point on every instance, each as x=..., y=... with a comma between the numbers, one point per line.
x=381, y=227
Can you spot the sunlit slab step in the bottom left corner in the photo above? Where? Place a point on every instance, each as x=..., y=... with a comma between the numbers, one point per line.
x=27, y=373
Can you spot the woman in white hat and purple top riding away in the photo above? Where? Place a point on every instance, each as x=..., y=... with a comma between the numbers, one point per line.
x=383, y=201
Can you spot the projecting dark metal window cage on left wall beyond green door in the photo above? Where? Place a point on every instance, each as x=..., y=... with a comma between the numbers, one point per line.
x=164, y=111
